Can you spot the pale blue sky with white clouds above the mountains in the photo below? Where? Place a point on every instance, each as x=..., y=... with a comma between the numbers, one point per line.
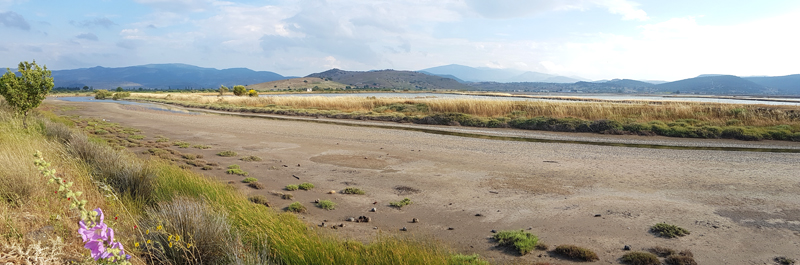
x=592, y=39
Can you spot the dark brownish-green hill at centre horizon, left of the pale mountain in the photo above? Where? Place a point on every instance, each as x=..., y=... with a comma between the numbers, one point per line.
x=390, y=79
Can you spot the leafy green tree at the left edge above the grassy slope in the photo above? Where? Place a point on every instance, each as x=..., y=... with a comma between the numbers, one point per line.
x=26, y=92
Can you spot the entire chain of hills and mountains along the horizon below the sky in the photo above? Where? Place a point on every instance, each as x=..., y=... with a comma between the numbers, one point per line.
x=450, y=77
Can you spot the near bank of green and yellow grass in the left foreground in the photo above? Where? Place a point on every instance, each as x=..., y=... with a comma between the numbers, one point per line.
x=164, y=214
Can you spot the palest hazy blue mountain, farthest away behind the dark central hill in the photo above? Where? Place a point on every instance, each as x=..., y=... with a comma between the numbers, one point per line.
x=485, y=74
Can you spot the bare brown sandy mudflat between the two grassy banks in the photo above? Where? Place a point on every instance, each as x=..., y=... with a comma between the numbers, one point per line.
x=741, y=207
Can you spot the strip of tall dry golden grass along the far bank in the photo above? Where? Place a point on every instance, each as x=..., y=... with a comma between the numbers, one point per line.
x=630, y=111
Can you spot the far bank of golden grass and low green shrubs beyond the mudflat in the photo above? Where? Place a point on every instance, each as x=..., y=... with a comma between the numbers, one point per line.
x=673, y=119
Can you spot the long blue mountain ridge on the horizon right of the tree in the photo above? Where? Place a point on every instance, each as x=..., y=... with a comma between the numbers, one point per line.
x=160, y=76
